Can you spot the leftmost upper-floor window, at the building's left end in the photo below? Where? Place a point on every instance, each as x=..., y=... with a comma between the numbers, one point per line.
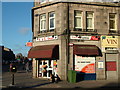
x=43, y=23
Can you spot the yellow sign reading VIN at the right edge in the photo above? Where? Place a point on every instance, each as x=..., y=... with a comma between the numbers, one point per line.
x=110, y=41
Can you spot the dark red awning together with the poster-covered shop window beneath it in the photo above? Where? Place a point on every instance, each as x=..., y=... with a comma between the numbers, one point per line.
x=85, y=61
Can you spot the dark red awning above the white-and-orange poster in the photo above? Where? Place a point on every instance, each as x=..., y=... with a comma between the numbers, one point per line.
x=85, y=50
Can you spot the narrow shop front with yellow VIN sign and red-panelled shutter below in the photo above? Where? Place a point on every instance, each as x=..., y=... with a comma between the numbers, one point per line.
x=110, y=47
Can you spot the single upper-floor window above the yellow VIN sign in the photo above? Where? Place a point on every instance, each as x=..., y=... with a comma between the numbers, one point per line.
x=112, y=22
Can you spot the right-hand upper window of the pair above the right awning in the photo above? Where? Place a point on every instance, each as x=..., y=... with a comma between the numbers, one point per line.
x=90, y=21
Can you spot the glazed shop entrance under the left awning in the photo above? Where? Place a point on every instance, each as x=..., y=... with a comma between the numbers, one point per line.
x=46, y=67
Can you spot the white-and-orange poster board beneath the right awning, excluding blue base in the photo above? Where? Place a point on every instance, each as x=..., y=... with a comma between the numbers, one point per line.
x=85, y=64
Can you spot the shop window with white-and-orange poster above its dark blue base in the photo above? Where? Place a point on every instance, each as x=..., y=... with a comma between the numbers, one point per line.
x=85, y=67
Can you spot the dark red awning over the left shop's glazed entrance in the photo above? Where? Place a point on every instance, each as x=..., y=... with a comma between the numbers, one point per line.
x=46, y=51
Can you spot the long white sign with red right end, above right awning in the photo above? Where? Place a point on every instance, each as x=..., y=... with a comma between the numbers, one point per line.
x=84, y=37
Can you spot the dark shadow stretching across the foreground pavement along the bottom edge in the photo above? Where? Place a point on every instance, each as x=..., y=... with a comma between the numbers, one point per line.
x=107, y=86
